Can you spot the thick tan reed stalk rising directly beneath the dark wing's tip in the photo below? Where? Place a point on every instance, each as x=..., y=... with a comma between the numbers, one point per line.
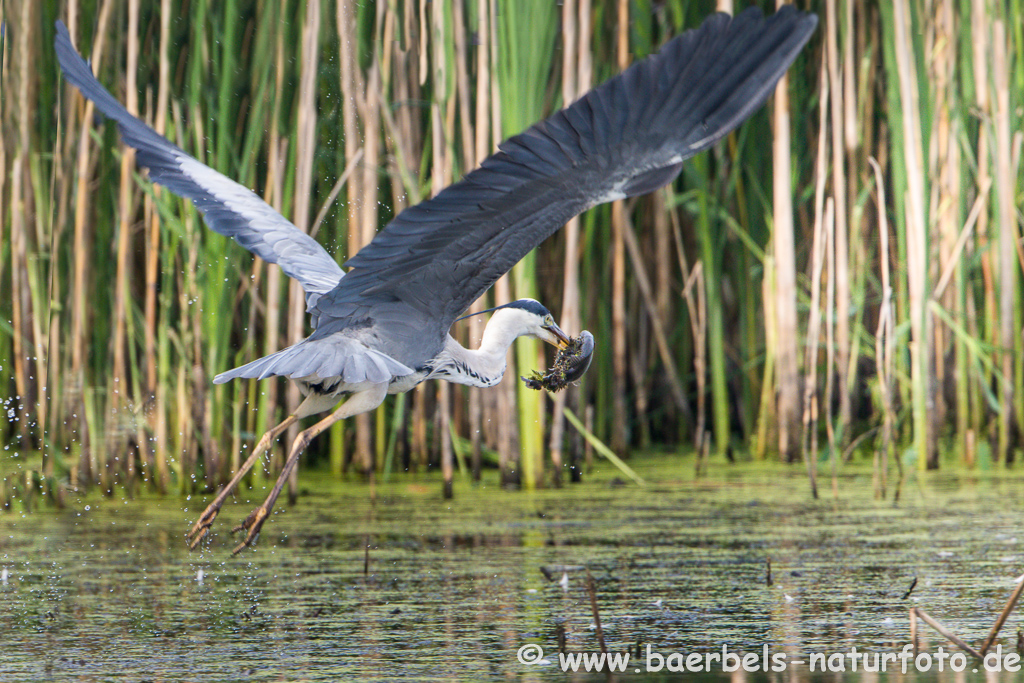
x=787, y=340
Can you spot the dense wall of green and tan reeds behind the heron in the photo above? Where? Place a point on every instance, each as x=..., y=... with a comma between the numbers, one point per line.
x=863, y=272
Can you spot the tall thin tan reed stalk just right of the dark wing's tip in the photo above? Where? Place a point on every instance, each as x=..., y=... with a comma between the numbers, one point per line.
x=840, y=240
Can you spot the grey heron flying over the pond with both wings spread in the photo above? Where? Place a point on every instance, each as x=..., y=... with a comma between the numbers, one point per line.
x=383, y=326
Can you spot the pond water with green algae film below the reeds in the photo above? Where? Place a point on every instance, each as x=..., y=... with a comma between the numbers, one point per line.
x=453, y=590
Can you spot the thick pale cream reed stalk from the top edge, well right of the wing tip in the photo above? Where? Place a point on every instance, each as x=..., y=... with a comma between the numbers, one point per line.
x=917, y=239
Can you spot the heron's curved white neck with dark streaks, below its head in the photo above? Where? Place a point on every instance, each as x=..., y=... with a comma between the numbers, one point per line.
x=483, y=367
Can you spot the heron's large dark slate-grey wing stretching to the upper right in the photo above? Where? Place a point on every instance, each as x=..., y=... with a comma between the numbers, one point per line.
x=626, y=138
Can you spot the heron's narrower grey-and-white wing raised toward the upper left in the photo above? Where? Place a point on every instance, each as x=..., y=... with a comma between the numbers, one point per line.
x=229, y=208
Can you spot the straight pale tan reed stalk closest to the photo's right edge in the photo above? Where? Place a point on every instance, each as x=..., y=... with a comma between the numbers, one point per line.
x=1005, y=184
